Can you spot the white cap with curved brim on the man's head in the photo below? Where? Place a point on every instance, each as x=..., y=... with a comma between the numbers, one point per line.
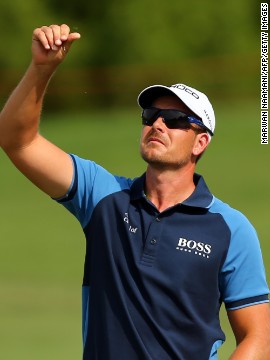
x=195, y=100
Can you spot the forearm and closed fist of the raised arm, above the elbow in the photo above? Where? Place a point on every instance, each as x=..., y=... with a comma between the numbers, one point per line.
x=19, y=120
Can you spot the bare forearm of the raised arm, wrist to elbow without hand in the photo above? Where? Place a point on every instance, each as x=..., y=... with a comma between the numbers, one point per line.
x=19, y=119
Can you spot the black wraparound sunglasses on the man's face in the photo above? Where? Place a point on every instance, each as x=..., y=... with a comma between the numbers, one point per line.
x=173, y=119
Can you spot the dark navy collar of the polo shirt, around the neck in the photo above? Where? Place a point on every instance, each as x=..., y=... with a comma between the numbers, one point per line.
x=200, y=198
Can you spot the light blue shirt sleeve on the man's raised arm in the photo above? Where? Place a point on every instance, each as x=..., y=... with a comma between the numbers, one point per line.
x=91, y=183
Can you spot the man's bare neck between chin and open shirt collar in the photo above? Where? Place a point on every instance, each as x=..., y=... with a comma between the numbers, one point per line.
x=168, y=188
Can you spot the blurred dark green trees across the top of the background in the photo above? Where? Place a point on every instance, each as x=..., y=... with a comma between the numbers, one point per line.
x=129, y=44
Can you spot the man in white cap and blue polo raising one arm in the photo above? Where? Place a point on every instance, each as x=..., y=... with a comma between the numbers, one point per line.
x=162, y=252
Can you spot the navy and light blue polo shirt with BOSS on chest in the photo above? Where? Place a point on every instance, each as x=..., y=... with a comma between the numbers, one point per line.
x=154, y=281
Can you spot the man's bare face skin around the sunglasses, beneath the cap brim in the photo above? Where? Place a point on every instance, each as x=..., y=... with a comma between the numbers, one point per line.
x=168, y=148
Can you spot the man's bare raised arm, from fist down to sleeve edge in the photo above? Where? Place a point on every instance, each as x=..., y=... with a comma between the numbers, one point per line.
x=47, y=166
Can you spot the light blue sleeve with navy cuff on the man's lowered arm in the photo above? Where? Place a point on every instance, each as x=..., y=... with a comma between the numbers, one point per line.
x=242, y=277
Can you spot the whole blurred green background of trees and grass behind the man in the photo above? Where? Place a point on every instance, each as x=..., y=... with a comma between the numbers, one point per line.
x=90, y=110
